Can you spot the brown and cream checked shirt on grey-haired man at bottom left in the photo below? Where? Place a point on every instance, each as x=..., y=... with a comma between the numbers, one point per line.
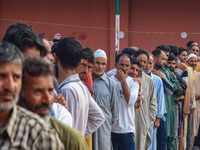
x=26, y=131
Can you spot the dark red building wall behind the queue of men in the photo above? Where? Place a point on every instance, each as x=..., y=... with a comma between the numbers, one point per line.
x=146, y=23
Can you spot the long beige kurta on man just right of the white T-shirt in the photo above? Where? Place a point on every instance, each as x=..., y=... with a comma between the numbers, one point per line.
x=146, y=113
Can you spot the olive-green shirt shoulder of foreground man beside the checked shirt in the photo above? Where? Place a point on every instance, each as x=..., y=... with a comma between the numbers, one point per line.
x=69, y=136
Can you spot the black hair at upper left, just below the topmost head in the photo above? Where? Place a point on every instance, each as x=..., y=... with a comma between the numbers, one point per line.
x=27, y=38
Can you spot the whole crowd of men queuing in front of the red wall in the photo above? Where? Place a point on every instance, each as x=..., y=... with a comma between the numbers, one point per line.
x=58, y=95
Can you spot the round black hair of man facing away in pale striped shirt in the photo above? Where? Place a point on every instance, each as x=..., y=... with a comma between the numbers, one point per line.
x=69, y=52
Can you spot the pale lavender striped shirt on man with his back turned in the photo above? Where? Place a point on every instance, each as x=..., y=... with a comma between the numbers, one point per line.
x=86, y=114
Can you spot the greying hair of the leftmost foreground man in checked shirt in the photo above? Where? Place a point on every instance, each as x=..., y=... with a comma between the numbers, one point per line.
x=9, y=52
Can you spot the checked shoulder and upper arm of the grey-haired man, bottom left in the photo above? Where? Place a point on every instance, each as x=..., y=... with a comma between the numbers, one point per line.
x=34, y=130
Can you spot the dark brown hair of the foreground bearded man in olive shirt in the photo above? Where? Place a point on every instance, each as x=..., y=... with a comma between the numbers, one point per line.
x=36, y=66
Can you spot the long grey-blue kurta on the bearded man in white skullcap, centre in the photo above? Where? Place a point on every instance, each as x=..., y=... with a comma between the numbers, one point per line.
x=107, y=96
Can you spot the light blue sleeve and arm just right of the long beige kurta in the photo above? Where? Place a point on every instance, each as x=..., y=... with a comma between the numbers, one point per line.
x=161, y=108
